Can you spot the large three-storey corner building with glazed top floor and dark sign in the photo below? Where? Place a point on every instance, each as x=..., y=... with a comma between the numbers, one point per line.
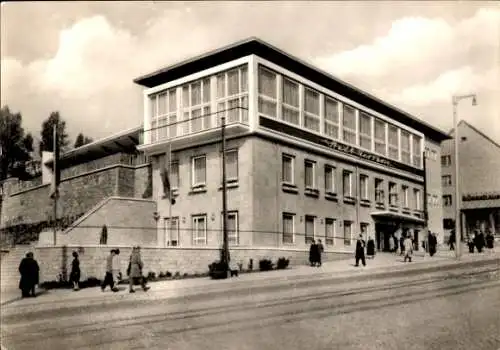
x=308, y=156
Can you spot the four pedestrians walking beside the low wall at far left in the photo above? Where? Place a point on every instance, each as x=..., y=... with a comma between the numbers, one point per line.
x=30, y=270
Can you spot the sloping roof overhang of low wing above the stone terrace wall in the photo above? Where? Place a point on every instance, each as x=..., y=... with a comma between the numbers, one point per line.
x=125, y=141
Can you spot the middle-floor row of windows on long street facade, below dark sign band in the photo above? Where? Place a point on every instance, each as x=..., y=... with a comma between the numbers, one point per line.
x=330, y=171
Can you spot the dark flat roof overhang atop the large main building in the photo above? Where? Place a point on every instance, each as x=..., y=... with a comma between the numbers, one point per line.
x=262, y=49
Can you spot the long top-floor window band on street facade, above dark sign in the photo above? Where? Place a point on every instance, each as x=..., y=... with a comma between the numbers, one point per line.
x=285, y=99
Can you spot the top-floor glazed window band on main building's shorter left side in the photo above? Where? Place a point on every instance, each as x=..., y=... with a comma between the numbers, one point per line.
x=188, y=108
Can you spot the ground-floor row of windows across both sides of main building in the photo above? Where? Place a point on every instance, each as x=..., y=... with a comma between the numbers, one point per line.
x=199, y=230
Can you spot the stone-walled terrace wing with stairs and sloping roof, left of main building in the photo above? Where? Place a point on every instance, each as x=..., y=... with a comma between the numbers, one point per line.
x=101, y=176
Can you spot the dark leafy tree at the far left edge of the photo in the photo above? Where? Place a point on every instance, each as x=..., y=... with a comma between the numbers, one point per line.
x=14, y=145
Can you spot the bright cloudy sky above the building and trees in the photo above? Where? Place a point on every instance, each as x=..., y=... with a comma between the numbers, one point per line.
x=80, y=58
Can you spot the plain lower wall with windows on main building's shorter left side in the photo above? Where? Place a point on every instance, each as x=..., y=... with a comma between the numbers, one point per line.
x=196, y=179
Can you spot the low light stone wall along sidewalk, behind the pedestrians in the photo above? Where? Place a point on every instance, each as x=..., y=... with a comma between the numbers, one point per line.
x=55, y=262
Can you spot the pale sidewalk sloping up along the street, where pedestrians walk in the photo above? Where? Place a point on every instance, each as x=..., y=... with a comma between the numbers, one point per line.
x=382, y=264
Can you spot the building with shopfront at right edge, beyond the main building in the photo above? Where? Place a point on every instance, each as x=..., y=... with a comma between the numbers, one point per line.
x=479, y=169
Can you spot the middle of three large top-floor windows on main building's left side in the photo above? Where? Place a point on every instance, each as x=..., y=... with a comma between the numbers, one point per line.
x=196, y=106
